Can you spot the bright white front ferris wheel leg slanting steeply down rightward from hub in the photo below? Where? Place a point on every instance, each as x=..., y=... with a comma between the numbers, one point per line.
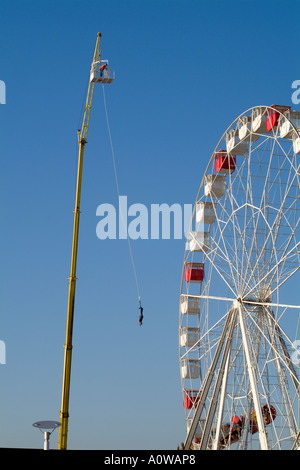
x=252, y=378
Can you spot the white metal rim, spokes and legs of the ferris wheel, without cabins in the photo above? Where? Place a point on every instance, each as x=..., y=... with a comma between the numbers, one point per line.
x=217, y=373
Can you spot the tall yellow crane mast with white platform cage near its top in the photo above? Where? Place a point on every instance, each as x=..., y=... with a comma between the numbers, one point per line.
x=100, y=73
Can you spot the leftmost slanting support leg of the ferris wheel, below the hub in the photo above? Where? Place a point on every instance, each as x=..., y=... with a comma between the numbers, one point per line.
x=207, y=384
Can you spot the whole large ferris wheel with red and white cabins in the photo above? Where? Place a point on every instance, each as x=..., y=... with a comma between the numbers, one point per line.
x=238, y=302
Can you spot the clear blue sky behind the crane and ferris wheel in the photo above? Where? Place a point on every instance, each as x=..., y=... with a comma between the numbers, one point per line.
x=184, y=71
